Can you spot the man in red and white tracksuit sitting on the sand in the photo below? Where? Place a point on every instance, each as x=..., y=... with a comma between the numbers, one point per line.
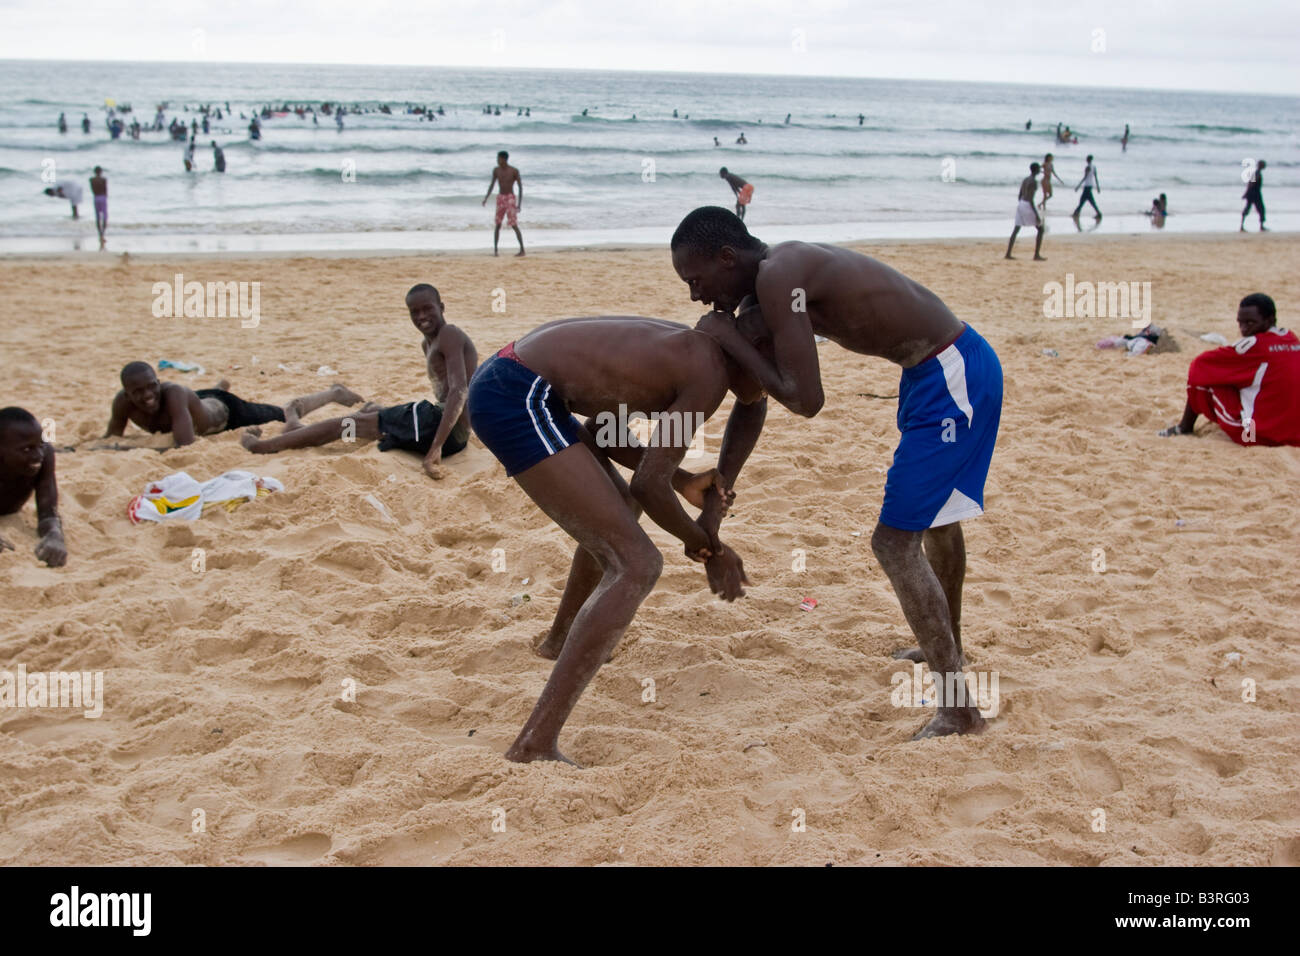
x=1250, y=390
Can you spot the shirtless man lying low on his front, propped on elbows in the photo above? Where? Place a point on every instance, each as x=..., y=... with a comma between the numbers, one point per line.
x=172, y=408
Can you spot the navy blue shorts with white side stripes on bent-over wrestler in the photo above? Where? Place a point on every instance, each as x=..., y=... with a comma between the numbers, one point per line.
x=517, y=416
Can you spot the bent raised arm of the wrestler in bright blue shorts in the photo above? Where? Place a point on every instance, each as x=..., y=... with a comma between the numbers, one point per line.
x=796, y=379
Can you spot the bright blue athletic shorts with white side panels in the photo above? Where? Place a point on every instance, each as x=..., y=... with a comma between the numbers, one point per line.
x=950, y=408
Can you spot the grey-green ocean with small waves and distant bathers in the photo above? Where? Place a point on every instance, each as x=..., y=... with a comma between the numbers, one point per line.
x=929, y=159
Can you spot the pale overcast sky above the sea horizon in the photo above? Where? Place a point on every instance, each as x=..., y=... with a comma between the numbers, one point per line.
x=1194, y=45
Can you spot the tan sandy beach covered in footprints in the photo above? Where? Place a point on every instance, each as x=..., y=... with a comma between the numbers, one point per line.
x=223, y=686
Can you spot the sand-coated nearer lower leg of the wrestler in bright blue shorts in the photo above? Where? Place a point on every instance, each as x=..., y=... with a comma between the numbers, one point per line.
x=925, y=605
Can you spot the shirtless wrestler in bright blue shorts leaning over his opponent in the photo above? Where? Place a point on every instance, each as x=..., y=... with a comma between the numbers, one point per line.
x=950, y=406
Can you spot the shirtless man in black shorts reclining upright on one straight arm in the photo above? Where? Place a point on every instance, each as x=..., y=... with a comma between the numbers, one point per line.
x=428, y=430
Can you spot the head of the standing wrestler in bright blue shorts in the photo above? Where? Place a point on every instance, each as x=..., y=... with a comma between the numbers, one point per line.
x=716, y=256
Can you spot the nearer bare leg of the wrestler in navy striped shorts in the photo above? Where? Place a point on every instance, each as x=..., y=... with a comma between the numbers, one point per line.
x=575, y=491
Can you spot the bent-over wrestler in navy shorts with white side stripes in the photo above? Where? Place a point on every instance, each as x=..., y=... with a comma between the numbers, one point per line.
x=522, y=404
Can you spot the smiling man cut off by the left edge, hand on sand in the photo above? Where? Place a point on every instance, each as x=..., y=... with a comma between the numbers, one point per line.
x=27, y=466
